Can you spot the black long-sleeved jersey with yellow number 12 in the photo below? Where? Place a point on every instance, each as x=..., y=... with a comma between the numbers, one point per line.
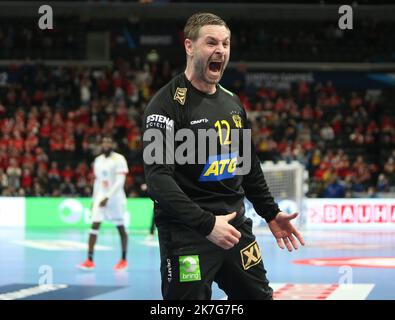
x=193, y=193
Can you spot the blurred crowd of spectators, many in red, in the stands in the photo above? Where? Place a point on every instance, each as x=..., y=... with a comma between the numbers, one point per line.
x=52, y=118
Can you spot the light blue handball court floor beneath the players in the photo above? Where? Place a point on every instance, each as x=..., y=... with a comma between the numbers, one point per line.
x=41, y=264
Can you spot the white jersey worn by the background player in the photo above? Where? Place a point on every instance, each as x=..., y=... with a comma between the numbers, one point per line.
x=105, y=170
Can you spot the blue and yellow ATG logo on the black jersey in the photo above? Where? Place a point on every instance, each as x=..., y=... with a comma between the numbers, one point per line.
x=219, y=167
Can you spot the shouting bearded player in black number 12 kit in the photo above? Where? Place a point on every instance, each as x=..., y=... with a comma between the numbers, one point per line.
x=204, y=235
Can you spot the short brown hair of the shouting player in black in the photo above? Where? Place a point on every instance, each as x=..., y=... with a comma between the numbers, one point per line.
x=199, y=20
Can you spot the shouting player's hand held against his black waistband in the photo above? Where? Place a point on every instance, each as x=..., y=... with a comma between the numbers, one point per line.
x=224, y=234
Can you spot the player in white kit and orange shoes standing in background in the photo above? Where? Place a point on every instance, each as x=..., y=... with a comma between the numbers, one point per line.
x=109, y=199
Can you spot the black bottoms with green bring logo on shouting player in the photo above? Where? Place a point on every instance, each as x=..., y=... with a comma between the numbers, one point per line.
x=190, y=263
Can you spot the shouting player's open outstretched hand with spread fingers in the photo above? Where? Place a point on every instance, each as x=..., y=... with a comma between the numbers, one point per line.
x=285, y=232
